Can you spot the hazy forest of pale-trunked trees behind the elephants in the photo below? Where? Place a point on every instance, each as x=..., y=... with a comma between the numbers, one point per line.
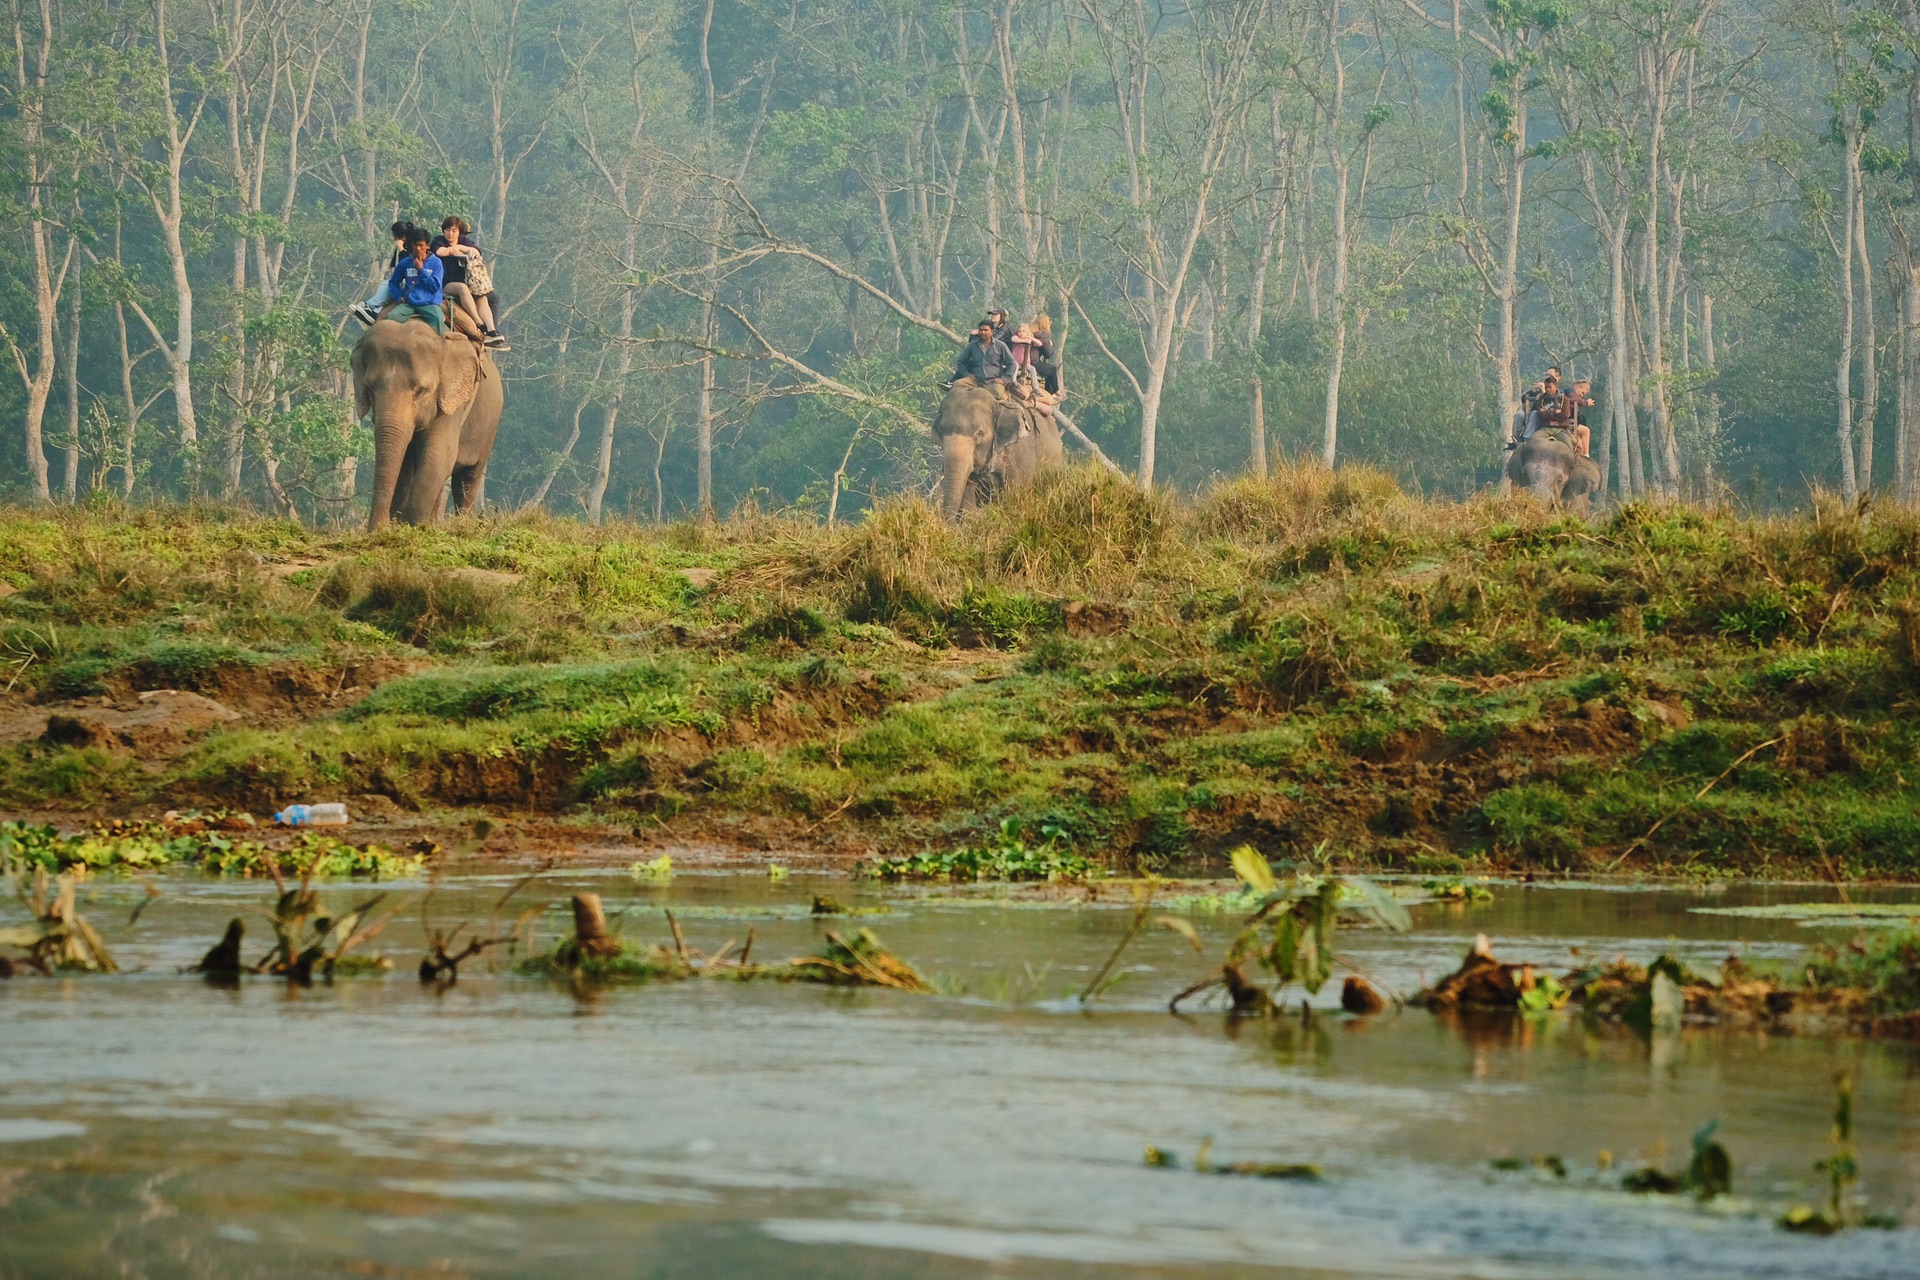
x=738, y=243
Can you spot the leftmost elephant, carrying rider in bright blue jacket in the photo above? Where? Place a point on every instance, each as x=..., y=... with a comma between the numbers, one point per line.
x=435, y=408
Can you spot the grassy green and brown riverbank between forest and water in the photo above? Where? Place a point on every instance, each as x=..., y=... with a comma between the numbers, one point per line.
x=1312, y=659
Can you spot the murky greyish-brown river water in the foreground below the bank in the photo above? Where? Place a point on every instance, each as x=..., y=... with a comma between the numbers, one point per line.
x=155, y=1126
